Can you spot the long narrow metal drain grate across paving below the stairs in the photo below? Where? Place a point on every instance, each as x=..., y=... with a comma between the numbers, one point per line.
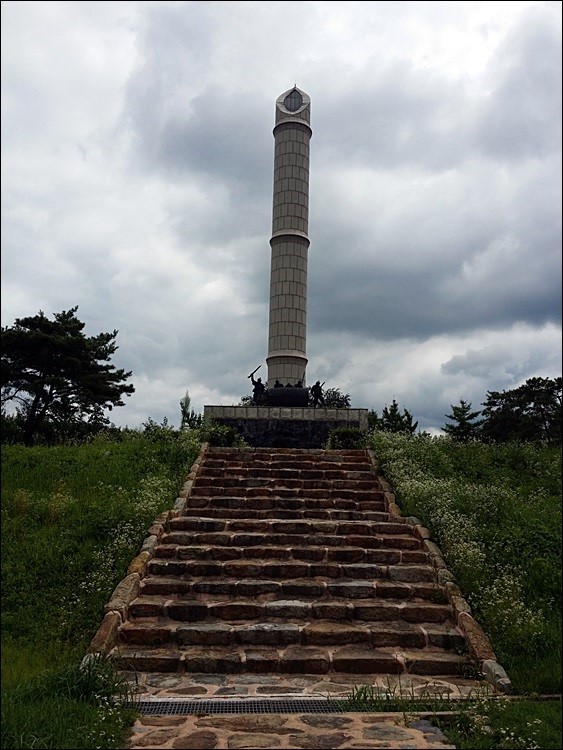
x=241, y=706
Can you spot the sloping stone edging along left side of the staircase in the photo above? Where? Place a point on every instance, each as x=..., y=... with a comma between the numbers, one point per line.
x=128, y=588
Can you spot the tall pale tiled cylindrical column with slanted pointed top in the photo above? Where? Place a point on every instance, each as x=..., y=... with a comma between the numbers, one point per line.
x=287, y=360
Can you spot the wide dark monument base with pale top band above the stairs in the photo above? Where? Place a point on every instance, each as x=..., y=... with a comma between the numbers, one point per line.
x=286, y=427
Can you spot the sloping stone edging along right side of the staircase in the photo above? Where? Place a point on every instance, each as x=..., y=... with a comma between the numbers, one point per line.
x=478, y=642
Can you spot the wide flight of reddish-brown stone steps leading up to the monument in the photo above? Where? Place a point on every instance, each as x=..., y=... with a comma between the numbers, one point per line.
x=287, y=562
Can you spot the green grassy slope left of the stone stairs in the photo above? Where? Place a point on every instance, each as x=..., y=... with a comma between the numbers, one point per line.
x=73, y=518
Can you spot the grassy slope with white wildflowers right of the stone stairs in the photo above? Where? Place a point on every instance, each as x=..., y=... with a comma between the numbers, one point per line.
x=495, y=511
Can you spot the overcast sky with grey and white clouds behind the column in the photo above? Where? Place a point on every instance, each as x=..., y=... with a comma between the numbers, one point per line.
x=137, y=174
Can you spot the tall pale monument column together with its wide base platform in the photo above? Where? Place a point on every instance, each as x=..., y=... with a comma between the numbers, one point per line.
x=282, y=417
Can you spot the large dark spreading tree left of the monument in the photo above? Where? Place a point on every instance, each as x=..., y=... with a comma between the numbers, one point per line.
x=55, y=373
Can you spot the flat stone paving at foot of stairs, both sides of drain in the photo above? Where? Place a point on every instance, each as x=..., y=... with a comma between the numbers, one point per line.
x=288, y=731
